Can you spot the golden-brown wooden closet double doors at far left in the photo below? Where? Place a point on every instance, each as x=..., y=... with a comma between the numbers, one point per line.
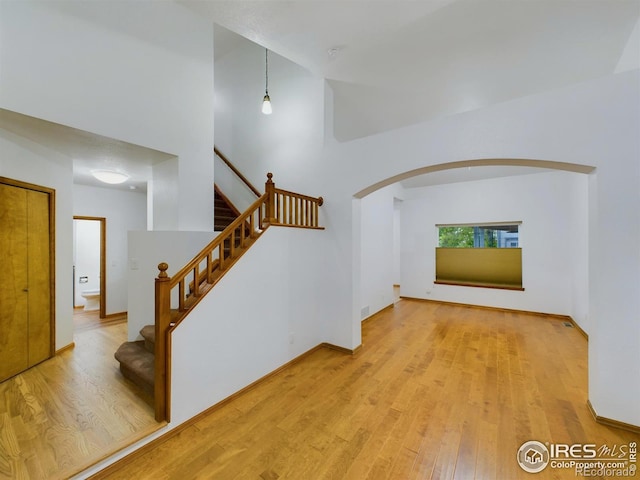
x=26, y=321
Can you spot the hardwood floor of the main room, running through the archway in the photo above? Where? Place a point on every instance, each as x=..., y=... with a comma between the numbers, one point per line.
x=436, y=392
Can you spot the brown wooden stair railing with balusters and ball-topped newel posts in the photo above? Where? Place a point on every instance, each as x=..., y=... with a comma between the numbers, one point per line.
x=177, y=295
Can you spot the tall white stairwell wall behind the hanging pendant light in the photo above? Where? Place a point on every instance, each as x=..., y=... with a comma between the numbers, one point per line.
x=287, y=142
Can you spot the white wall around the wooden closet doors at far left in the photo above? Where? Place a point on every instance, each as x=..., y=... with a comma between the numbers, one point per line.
x=29, y=162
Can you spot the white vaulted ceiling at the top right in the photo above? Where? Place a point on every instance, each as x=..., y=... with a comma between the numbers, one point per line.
x=394, y=63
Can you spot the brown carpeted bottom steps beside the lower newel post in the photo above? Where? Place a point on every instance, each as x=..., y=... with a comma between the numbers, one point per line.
x=137, y=359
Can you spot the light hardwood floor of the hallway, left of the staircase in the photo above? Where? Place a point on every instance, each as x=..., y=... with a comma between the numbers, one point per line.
x=66, y=413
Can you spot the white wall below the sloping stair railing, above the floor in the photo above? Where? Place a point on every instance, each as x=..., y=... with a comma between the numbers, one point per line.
x=263, y=313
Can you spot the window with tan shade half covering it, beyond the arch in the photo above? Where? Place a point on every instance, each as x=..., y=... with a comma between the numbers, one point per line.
x=480, y=255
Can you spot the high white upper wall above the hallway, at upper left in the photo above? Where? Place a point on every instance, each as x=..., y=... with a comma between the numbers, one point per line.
x=141, y=72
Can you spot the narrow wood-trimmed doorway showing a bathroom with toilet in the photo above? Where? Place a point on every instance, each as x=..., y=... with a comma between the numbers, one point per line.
x=89, y=263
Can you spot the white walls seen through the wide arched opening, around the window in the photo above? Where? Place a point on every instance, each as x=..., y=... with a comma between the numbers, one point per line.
x=555, y=202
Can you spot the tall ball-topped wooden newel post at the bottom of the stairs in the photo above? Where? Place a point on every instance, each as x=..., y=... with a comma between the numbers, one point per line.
x=162, y=323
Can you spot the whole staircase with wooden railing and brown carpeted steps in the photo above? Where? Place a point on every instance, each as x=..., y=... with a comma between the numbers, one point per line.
x=144, y=362
